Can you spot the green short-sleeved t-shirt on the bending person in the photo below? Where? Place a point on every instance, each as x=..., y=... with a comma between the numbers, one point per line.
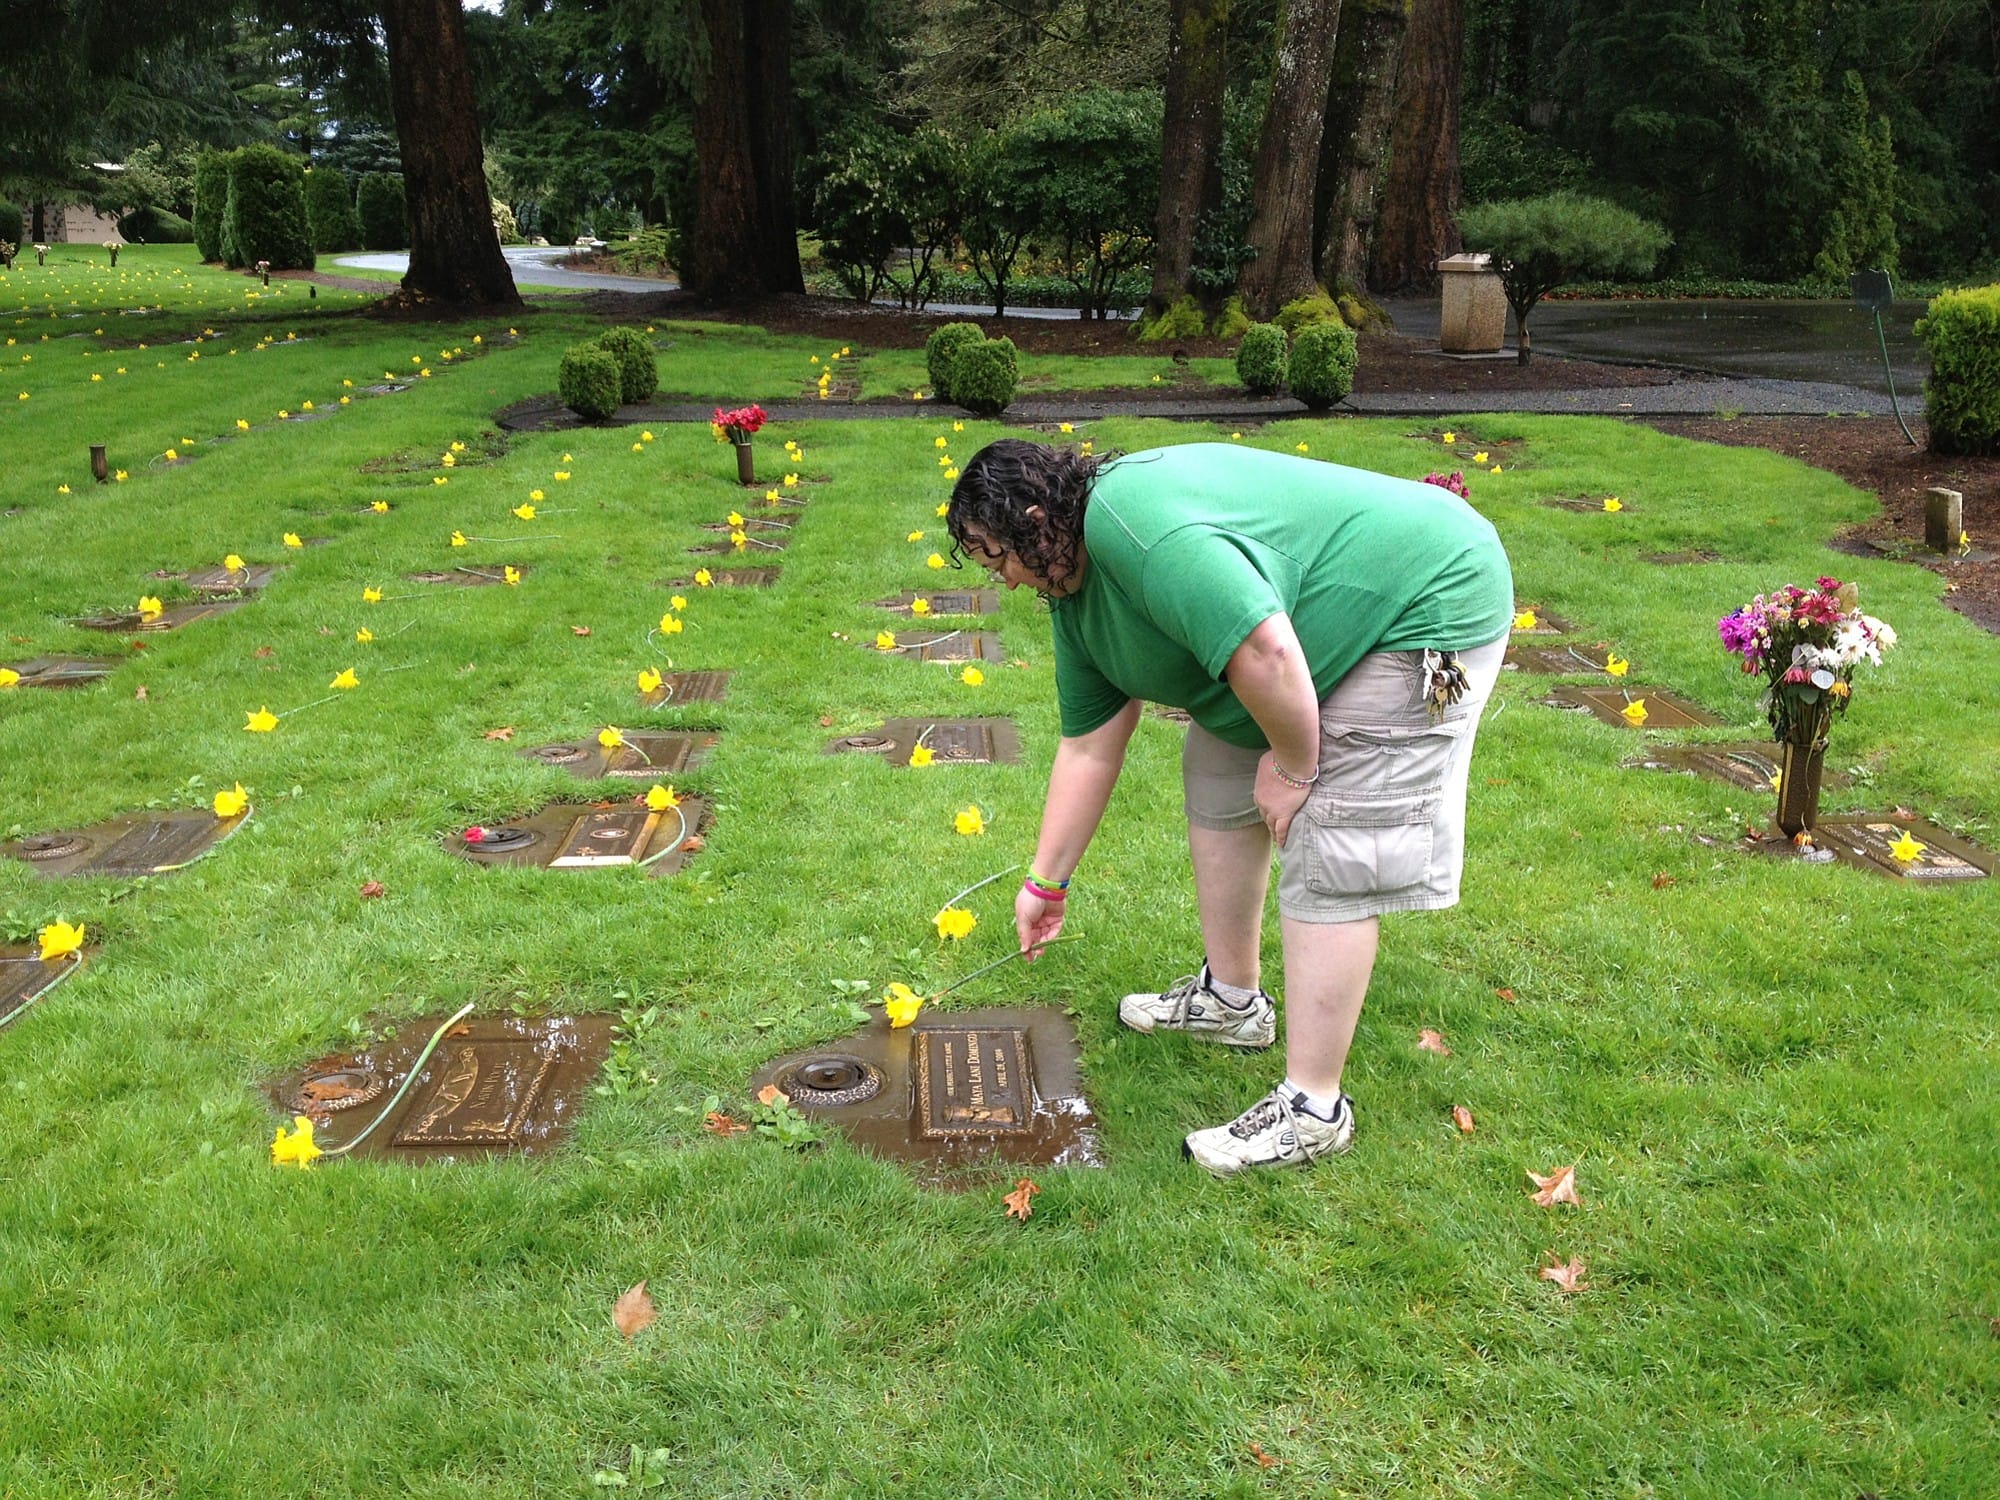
x=1191, y=549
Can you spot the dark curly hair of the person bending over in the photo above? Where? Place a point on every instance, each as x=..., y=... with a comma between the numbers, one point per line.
x=1003, y=483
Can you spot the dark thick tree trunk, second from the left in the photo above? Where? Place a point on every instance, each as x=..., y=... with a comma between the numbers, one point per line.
x=745, y=237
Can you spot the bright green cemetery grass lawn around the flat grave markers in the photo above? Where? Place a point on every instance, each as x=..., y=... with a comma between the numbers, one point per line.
x=1777, y=1079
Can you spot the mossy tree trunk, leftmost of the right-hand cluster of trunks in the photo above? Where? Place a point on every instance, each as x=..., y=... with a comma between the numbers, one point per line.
x=1191, y=143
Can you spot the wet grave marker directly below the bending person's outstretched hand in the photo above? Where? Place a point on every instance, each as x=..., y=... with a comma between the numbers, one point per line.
x=953, y=1091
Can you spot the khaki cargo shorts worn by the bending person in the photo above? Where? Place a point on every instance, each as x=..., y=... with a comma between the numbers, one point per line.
x=1385, y=827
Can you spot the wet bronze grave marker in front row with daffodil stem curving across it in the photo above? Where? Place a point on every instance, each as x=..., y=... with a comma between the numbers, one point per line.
x=497, y=1085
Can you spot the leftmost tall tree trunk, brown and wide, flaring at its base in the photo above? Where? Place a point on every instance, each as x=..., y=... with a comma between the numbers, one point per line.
x=455, y=251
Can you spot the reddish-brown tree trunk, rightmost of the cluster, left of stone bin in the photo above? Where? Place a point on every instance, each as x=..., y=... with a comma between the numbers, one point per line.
x=1417, y=223
